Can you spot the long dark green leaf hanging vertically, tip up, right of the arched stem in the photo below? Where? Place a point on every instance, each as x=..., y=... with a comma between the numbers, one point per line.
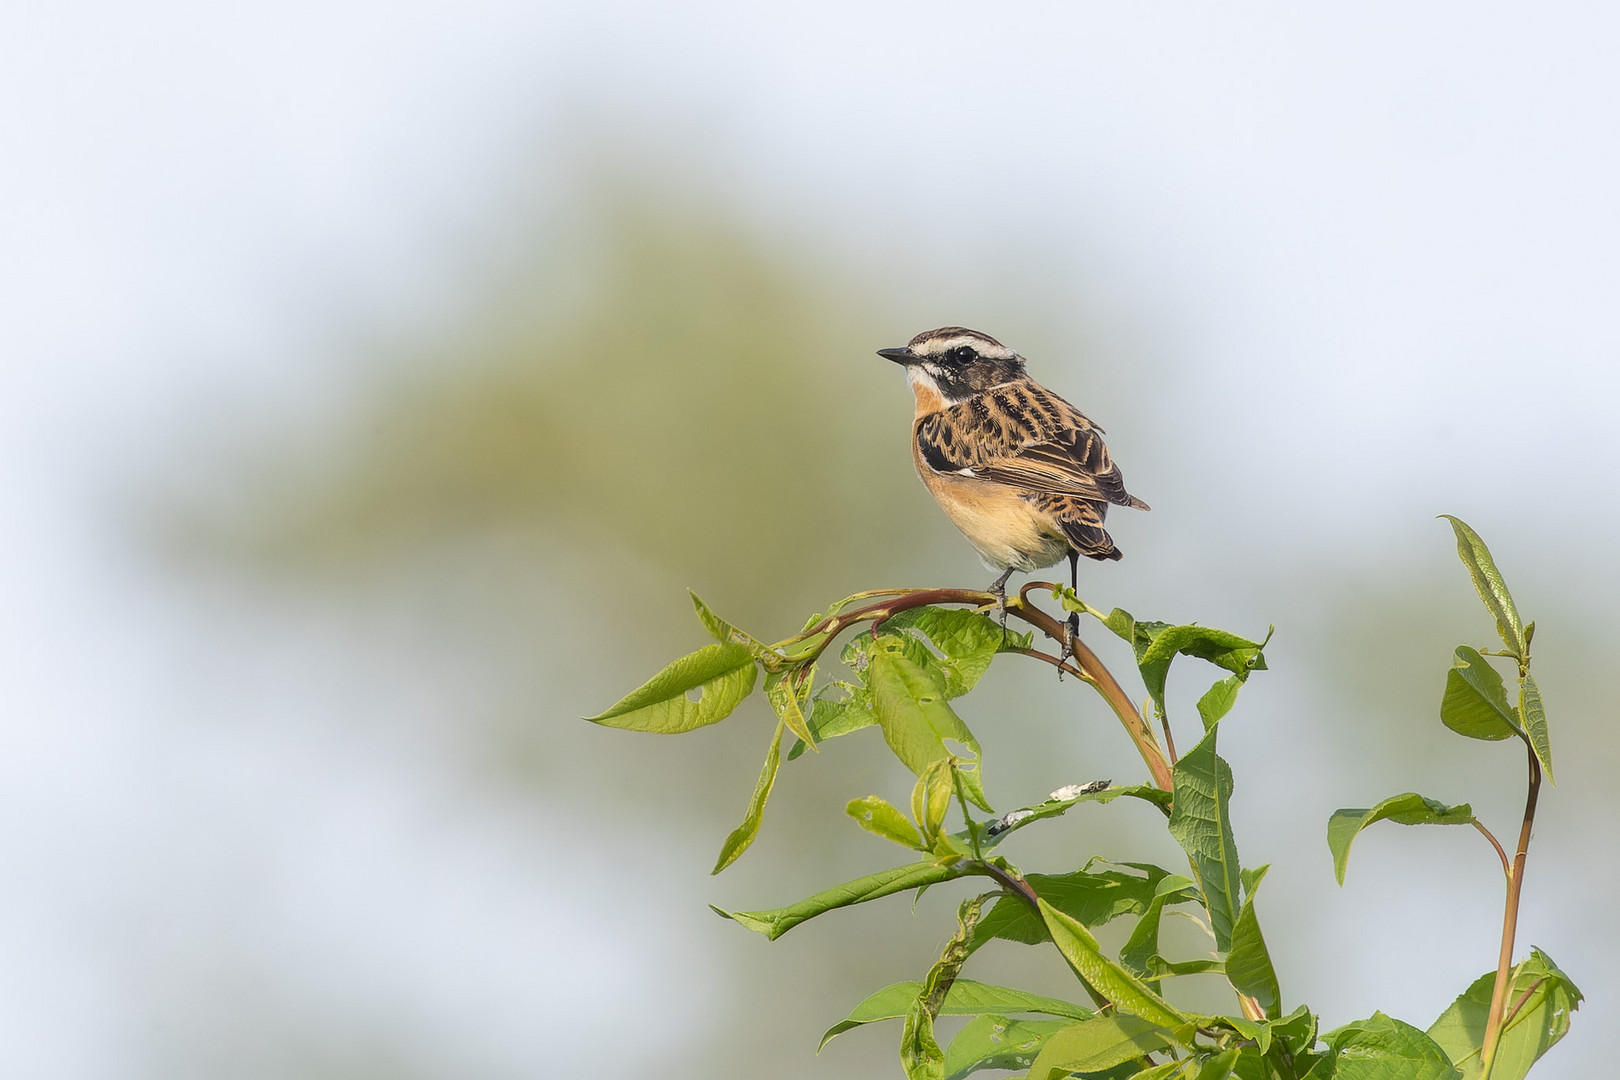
x=1201, y=822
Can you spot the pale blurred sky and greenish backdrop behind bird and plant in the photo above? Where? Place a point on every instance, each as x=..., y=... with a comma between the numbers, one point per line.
x=375, y=378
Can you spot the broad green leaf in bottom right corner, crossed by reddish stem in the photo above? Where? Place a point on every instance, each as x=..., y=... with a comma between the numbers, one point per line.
x=1546, y=998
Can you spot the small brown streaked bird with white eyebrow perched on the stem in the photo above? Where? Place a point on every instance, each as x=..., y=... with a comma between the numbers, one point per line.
x=1025, y=475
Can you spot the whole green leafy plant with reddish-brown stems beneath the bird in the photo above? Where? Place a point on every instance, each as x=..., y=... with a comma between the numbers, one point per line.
x=914, y=652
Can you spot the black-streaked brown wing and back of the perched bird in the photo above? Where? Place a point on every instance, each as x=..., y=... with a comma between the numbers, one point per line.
x=1026, y=436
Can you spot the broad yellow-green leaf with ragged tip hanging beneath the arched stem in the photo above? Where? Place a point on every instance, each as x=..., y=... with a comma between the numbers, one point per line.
x=916, y=721
